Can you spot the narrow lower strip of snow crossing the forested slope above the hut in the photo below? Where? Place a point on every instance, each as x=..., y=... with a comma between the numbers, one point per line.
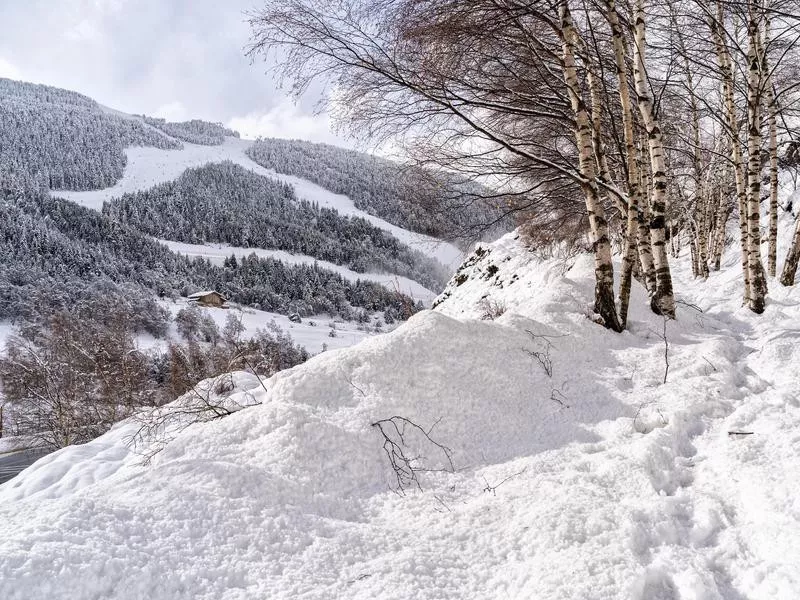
x=217, y=253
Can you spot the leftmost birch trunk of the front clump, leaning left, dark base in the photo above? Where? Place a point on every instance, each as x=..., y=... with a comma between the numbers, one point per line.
x=605, y=304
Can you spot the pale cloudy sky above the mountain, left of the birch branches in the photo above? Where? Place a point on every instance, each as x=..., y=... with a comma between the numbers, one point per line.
x=176, y=59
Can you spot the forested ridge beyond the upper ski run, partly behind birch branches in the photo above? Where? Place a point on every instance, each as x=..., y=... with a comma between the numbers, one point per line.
x=405, y=196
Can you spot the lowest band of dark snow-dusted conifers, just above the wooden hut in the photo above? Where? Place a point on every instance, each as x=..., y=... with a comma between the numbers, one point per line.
x=50, y=249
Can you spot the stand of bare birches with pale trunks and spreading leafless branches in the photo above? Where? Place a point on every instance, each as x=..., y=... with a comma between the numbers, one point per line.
x=639, y=125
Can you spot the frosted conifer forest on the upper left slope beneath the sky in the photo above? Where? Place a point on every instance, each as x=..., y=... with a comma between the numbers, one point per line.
x=58, y=139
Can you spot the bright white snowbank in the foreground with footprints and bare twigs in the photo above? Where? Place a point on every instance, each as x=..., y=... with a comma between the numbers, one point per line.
x=547, y=459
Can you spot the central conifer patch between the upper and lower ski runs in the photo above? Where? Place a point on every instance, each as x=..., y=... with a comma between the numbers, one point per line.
x=229, y=204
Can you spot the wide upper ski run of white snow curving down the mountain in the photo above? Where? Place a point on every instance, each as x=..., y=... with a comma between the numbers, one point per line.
x=147, y=167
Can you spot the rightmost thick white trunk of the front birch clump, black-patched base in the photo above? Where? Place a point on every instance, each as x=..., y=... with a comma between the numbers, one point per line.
x=663, y=301
